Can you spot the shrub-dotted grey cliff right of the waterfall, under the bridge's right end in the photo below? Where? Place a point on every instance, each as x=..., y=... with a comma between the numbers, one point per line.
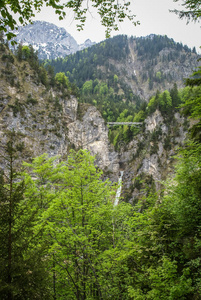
x=150, y=157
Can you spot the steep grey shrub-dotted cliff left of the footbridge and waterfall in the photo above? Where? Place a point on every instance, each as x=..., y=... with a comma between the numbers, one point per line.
x=48, y=120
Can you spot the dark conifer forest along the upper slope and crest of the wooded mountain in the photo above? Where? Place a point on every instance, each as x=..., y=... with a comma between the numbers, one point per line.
x=82, y=66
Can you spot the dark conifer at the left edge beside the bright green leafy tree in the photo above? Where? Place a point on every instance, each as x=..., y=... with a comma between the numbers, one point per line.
x=22, y=266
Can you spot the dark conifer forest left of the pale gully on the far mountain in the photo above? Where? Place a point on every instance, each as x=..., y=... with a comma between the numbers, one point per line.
x=82, y=67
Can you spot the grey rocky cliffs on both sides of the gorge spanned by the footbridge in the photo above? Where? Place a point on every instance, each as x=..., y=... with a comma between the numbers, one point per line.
x=48, y=118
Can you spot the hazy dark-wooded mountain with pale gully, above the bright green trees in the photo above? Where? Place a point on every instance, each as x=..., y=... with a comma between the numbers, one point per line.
x=143, y=65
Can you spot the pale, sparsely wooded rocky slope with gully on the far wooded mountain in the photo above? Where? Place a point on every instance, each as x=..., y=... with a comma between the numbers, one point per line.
x=145, y=75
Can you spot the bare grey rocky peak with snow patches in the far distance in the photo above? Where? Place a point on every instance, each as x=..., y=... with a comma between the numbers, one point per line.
x=49, y=40
